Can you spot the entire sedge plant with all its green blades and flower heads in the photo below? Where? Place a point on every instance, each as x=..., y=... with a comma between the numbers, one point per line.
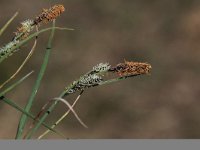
x=97, y=76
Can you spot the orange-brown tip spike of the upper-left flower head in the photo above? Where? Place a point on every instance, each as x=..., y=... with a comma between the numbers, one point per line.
x=49, y=14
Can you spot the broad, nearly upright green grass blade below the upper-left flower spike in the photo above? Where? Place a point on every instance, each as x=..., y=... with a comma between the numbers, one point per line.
x=37, y=84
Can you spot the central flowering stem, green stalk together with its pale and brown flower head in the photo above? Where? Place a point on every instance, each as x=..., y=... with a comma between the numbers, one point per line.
x=92, y=79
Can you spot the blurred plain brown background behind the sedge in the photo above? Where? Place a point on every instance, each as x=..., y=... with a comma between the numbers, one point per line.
x=164, y=33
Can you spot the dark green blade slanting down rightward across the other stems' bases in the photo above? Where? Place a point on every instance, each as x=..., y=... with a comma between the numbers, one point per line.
x=14, y=105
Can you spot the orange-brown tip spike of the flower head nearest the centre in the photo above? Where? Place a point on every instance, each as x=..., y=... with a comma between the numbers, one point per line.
x=129, y=68
